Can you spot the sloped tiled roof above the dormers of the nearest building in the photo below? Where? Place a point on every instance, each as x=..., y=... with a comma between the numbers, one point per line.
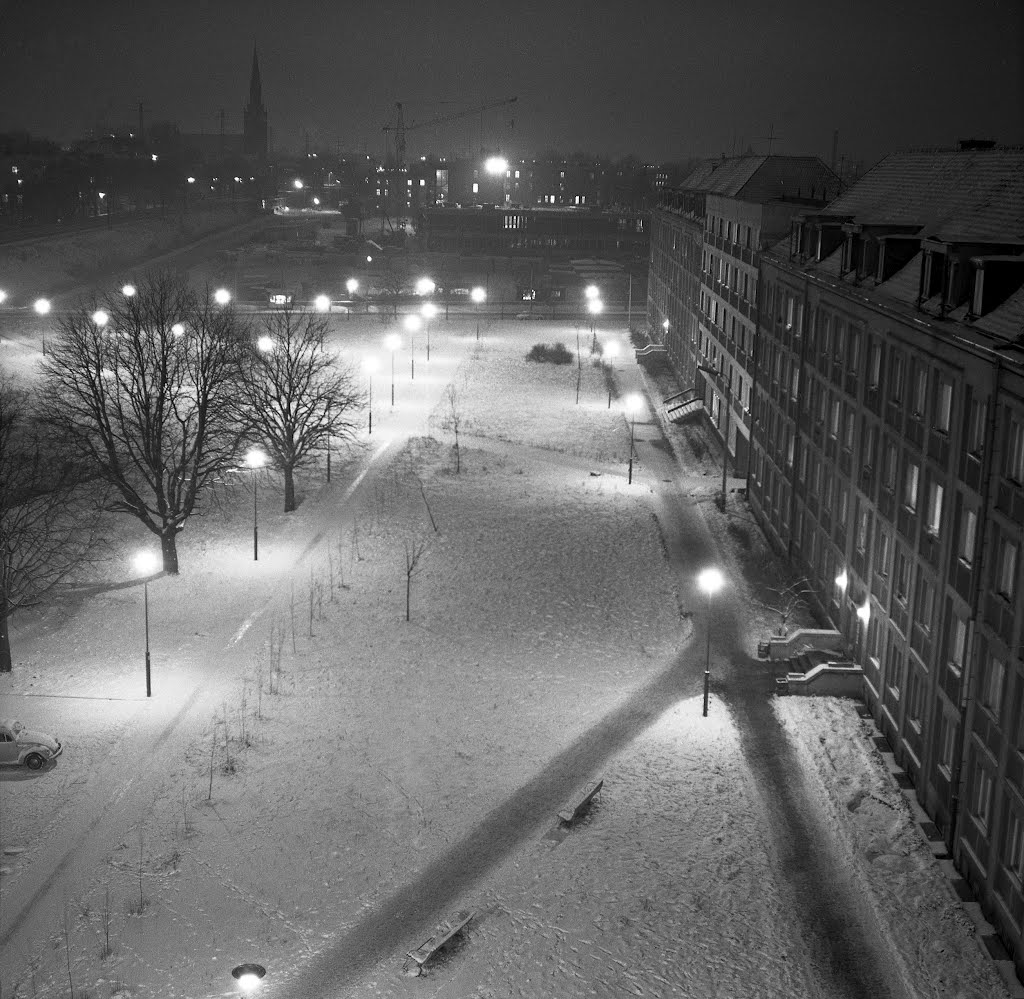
x=975, y=196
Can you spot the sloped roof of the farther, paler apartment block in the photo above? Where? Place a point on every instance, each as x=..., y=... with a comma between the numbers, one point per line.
x=762, y=179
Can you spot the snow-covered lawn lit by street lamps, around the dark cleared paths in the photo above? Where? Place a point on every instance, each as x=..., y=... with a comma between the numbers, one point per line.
x=315, y=754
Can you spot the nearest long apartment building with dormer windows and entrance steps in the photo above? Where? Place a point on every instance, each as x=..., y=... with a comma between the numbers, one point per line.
x=888, y=463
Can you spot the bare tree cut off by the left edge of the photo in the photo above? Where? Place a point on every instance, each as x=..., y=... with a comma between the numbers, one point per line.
x=50, y=520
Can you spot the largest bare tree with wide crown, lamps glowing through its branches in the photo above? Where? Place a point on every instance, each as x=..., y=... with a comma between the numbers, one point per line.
x=146, y=394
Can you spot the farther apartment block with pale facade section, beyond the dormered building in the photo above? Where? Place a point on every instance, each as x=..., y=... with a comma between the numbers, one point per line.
x=707, y=237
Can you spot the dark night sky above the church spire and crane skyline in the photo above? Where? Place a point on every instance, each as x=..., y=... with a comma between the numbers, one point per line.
x=664, y=80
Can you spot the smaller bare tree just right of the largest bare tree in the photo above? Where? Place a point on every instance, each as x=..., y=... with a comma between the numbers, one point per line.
x=298, y=398
